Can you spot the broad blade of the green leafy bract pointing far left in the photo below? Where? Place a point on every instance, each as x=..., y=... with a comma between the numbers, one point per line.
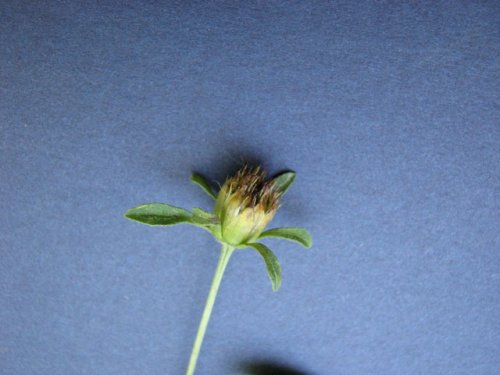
x=158, y=214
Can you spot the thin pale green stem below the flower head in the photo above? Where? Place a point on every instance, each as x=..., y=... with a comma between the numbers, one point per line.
x=226, y=252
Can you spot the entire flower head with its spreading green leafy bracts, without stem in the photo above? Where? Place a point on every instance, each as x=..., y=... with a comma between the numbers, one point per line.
x=244, y=206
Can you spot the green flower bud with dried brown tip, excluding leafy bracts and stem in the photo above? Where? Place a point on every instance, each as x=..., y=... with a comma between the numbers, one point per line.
x=245, y=205
